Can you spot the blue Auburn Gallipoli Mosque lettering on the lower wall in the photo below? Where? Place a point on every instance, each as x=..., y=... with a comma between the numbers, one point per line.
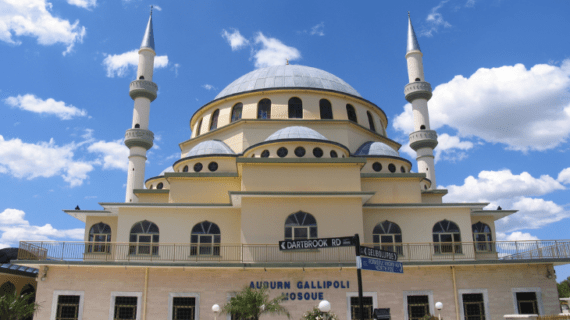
x=308, y=290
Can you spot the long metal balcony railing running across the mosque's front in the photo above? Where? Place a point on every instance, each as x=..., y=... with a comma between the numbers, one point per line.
x=270, y=253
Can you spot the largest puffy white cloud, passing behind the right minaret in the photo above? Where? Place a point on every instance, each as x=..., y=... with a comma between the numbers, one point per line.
x=523, y=109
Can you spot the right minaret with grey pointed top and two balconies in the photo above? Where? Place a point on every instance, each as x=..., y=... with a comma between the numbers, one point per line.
x=418, y=92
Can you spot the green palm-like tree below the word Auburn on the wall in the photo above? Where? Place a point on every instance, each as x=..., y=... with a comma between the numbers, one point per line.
x=250, y=304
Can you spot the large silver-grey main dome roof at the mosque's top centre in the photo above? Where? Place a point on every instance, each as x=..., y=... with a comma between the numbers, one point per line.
x=287, y=76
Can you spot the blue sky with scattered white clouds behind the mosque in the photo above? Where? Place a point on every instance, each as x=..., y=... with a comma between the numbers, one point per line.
x=500, y=72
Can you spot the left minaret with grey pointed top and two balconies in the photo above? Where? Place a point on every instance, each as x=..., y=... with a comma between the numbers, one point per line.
x=143, y=91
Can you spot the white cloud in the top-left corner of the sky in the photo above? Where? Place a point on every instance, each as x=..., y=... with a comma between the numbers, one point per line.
x=33, y=18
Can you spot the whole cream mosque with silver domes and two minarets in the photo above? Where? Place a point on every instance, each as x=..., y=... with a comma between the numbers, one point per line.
x=289, y=153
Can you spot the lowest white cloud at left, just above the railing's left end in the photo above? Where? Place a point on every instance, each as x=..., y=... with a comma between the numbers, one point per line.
x=14, y=228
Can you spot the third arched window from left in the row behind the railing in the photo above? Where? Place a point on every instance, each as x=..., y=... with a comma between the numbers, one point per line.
x=205, y=239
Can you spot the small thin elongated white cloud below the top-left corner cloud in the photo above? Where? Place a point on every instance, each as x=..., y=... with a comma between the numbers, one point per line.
x=30, y=102
